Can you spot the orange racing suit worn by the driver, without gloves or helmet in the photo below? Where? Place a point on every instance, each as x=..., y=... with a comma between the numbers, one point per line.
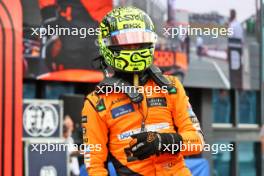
x=109, y=120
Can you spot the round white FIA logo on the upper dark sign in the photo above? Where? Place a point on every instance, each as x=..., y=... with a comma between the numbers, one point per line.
x=40, y=119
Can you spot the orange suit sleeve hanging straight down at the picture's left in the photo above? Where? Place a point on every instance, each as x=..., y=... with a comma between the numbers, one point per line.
x=95, y=135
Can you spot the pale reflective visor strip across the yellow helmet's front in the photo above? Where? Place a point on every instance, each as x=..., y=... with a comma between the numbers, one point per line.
x=130, y=37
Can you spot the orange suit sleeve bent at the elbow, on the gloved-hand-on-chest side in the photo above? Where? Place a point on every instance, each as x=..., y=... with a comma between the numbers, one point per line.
x=186, y=121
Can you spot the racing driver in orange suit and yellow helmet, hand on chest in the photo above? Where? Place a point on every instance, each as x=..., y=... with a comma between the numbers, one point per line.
x=141, y=134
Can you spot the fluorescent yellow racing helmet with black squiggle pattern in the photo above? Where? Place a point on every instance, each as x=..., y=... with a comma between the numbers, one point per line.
x=123, y=27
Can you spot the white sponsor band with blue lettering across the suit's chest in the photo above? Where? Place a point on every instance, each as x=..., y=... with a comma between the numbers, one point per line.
x=150, y=127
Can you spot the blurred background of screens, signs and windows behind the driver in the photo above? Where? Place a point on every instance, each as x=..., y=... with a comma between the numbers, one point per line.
x=223, y=76
